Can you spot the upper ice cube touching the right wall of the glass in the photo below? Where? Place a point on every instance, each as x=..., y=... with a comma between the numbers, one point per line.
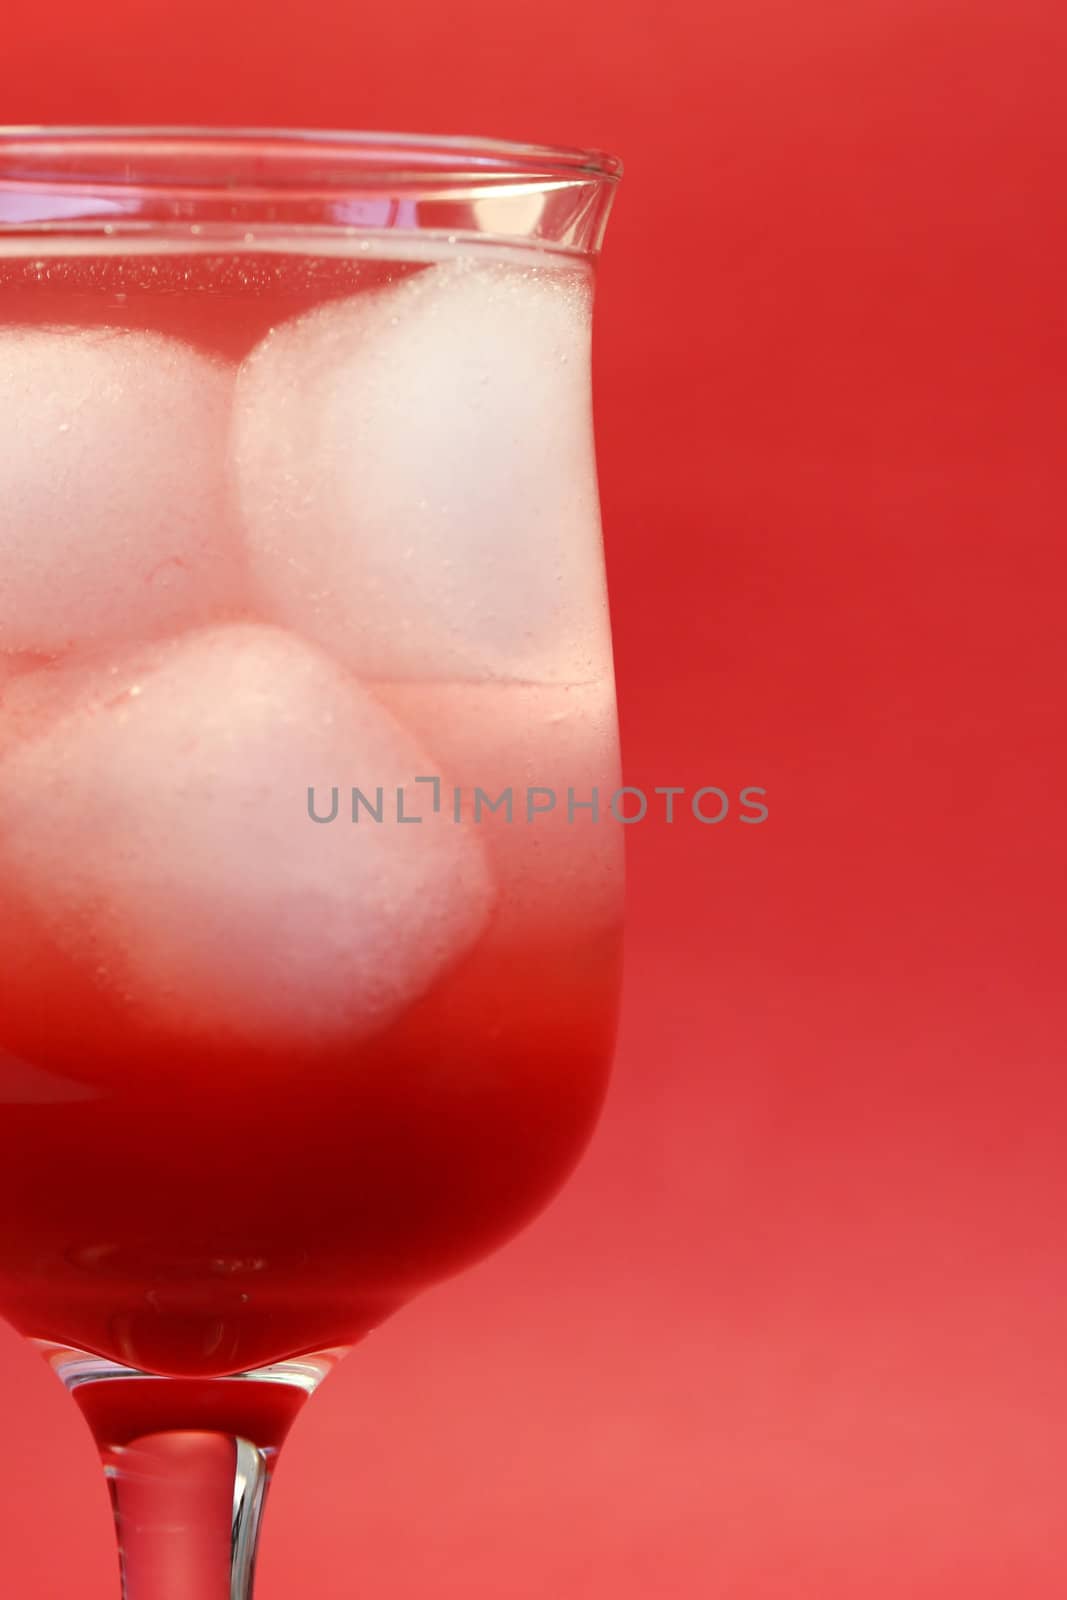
x=417, y=478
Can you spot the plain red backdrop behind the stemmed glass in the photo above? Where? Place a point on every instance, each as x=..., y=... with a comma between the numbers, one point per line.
x=799, y=1327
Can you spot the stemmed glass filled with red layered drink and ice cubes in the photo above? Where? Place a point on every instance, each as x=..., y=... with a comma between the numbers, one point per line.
x=310, y=865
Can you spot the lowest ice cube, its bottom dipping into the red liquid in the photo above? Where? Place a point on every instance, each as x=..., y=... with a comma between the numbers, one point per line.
x=158, y=826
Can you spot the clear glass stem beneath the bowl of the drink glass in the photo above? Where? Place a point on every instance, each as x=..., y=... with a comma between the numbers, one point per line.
x=188, y=1463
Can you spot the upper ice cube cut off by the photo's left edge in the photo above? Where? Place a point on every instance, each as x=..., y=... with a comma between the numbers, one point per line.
x=113, y=487
